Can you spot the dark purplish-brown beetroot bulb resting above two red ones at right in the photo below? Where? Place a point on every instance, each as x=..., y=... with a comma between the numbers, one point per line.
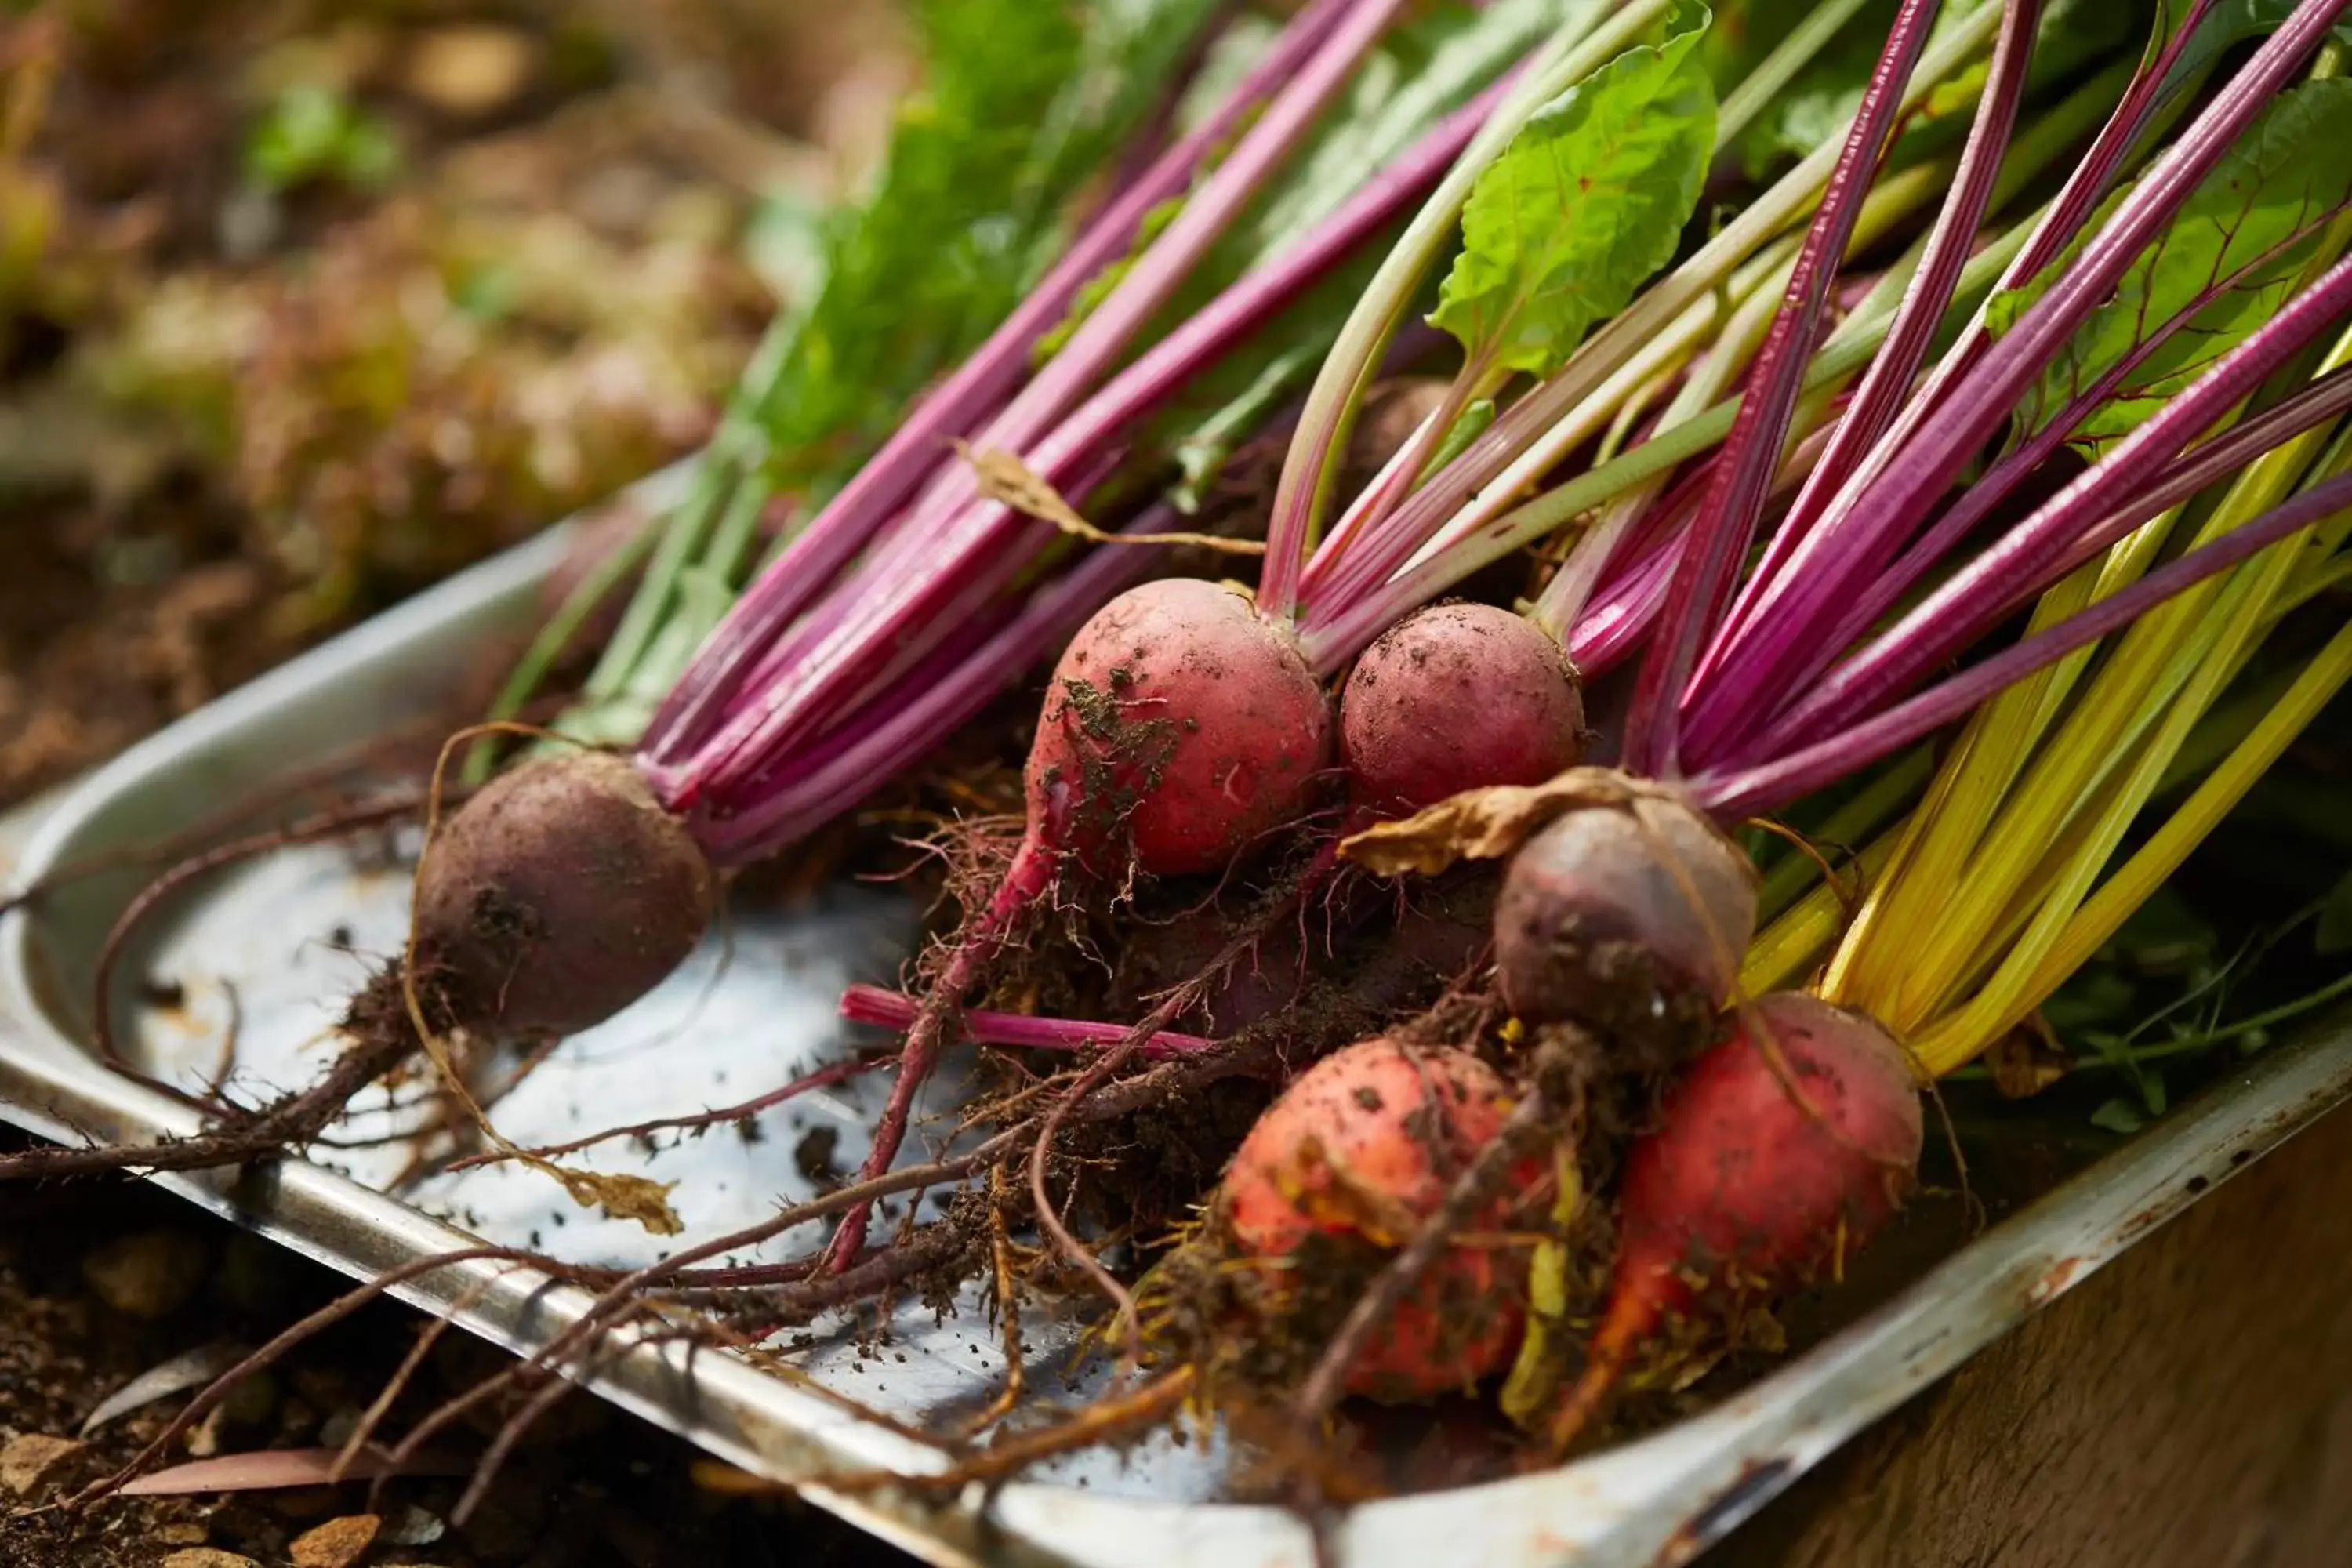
x=1629, y=920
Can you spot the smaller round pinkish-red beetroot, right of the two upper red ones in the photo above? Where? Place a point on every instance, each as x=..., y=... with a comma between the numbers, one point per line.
x=1457, y=697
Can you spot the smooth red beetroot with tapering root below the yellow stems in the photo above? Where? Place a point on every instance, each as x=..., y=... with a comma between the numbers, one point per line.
x=1779, y=1153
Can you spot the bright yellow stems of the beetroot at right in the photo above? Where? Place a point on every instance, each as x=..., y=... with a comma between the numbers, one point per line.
x=2000, y=883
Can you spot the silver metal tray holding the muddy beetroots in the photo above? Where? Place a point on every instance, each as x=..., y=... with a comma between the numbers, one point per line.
x=255, y=944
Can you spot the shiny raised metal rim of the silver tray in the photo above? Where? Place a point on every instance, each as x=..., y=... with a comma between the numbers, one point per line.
x=1662, y=1499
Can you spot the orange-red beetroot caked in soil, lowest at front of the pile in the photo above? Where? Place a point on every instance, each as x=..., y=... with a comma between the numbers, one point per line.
x=1365, y=1146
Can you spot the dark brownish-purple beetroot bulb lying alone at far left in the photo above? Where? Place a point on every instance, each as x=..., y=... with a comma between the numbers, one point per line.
x=556, y=897
